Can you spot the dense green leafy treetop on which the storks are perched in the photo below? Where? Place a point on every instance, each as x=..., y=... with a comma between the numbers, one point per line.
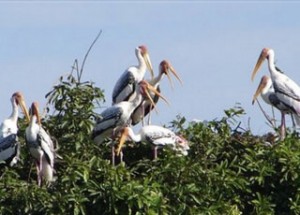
x=228, y=170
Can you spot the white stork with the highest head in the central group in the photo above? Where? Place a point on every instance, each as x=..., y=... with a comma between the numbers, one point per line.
x=124, y=88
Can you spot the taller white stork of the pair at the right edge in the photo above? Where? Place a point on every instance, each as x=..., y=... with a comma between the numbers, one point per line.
x=286, y=90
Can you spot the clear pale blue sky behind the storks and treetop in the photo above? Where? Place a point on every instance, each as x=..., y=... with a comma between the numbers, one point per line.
x=213, y=46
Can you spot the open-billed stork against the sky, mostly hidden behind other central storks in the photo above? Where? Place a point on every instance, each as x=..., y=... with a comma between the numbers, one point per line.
x=165, y=68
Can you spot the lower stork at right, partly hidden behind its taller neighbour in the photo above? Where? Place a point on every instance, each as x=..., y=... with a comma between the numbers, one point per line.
x=266, y=90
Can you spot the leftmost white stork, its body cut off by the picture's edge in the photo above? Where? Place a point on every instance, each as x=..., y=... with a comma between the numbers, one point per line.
x=9, y=144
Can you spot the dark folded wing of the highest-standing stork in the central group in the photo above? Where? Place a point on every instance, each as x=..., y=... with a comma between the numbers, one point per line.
x=124, y=87
